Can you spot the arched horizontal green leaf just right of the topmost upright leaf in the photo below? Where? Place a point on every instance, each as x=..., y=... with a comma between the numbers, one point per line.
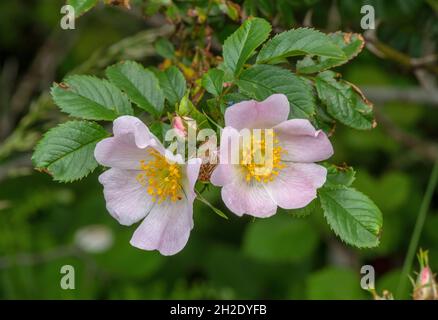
x=295, y=42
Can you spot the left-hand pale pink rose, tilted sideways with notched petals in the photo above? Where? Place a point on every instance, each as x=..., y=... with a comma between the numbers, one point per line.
x=146, y=182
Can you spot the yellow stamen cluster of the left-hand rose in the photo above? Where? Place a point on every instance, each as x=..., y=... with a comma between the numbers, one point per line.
x=161, y=178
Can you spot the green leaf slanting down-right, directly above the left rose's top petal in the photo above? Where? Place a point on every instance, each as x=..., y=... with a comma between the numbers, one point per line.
x=140, y=84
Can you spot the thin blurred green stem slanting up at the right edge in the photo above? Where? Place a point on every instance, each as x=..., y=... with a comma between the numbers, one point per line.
x=415, y=238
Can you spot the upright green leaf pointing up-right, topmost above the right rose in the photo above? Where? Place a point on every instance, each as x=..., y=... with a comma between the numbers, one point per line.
x=240, y=46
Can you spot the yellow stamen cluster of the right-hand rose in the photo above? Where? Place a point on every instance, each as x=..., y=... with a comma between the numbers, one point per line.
x=261, y=158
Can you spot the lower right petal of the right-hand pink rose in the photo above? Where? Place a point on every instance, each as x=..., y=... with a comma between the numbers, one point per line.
x=295, y=187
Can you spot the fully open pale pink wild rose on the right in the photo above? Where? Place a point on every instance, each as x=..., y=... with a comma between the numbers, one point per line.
x=291, y=180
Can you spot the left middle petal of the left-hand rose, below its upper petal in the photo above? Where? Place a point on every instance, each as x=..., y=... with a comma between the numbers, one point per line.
x=126, y=199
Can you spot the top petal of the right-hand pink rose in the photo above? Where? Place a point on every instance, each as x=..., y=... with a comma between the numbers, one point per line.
x=258, y=115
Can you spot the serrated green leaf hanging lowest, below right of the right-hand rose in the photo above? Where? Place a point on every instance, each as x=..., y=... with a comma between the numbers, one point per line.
x=352, y=216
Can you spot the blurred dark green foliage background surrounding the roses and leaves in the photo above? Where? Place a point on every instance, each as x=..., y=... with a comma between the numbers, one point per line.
x=45, y=225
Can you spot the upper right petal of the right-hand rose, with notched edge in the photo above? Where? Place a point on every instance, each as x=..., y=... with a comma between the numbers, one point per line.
x=302, y=142
